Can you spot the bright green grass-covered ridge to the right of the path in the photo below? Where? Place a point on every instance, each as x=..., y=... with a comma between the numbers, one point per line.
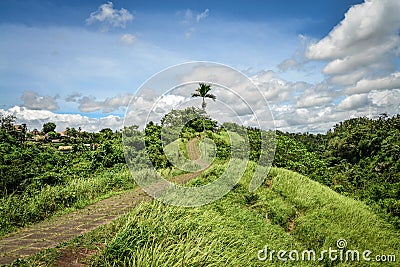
x=289, y=212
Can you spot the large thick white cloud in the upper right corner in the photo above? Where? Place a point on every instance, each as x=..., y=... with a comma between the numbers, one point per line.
x=365, y=25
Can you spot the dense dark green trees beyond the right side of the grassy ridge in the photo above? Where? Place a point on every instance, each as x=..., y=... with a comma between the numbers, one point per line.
x=359, y=158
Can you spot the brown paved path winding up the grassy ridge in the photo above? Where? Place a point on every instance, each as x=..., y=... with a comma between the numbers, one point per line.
x=49, y=234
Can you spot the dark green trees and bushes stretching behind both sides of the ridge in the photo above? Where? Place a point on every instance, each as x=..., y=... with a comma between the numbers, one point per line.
x=357, y=158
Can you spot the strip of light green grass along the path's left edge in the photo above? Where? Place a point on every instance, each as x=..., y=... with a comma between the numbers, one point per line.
x=35, y=205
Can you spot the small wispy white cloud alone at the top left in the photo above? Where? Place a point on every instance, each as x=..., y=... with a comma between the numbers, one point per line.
x=107, y=15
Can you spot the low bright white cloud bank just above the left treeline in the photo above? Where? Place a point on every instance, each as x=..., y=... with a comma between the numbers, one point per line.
x=36, y=119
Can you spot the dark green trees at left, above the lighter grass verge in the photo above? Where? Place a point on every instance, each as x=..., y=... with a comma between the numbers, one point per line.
x=26, y=164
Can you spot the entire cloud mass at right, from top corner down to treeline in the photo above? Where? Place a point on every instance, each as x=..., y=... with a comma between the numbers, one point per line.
x=362, y=76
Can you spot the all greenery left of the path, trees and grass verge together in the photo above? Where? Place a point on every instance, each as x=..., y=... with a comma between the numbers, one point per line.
x=38, y=179
